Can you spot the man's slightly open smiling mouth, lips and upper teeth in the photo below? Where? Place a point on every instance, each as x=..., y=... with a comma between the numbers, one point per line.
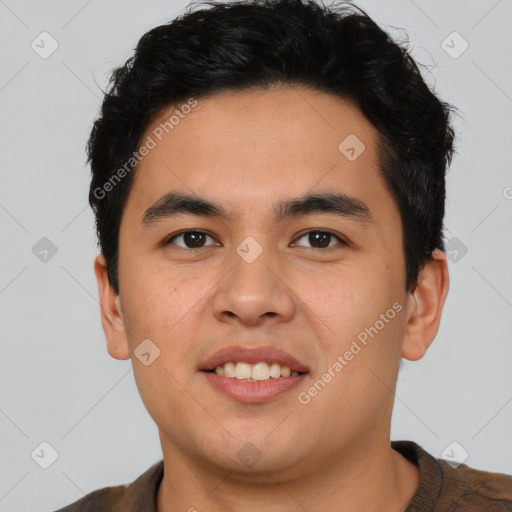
x=253, y=375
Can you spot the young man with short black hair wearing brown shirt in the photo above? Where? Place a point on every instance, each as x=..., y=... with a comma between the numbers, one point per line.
x=268, y=184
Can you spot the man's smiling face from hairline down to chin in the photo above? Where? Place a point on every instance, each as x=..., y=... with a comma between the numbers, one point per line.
x=325, y=285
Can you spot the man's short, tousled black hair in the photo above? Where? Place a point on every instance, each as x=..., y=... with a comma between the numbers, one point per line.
x=255, y=44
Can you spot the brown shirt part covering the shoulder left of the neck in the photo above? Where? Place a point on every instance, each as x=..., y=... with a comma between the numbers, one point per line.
x=140, y=495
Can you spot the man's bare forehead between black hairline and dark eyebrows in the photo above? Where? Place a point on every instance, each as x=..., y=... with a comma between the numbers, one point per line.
x=252, y=147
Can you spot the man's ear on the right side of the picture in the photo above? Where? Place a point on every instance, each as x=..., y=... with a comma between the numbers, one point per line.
x=425, y=306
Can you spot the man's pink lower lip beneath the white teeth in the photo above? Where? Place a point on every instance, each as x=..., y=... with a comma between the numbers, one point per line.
x=253, y=392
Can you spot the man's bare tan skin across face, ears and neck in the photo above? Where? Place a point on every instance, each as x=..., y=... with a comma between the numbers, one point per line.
x=248, y=150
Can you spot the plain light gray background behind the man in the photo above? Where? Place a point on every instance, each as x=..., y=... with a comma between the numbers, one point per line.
x=58, y=383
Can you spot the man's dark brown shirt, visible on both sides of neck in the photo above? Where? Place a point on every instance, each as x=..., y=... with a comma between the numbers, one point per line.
x=442, y=488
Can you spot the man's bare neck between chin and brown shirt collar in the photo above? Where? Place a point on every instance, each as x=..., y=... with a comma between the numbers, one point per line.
x=371, y=477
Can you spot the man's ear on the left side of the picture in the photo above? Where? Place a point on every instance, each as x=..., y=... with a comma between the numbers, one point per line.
x=112, y=318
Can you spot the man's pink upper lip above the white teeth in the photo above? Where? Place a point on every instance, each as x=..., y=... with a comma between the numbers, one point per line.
x=253, y=355
